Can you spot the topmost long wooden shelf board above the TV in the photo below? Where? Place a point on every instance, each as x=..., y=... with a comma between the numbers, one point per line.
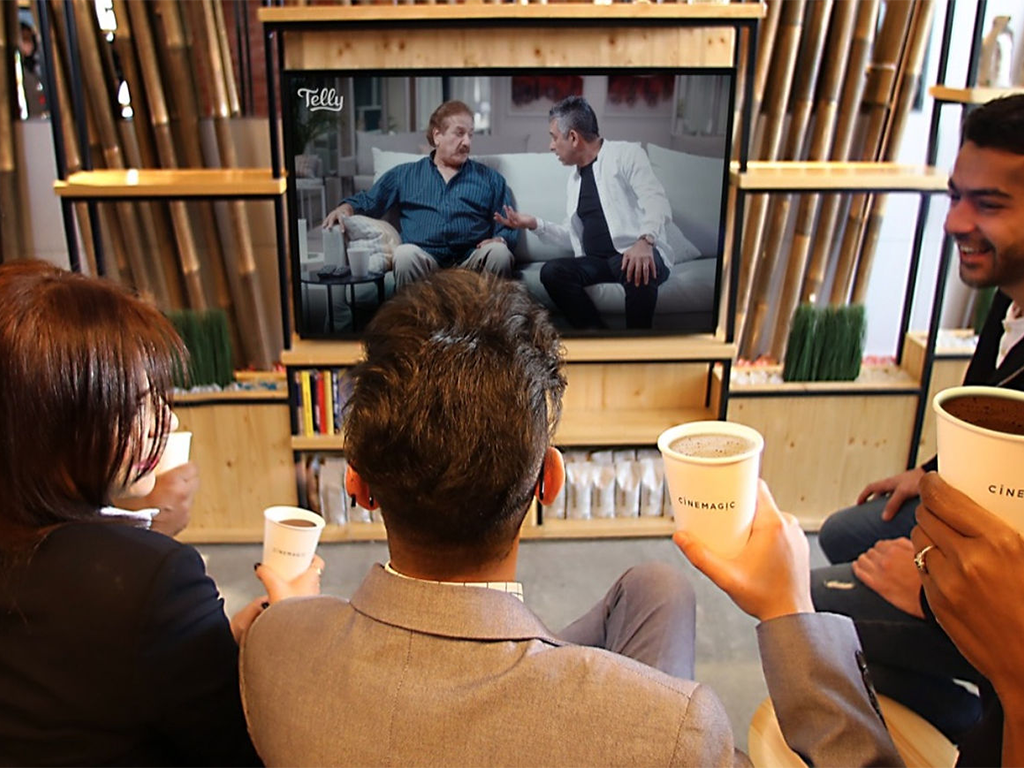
x=403, y=15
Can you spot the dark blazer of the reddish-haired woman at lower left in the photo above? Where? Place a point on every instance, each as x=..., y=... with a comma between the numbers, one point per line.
x=115, y=651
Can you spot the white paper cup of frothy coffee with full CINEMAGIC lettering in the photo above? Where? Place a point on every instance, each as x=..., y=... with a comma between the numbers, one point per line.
x=713, y=481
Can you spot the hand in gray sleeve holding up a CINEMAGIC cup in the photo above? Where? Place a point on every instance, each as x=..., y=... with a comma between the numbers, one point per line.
x=772, y=577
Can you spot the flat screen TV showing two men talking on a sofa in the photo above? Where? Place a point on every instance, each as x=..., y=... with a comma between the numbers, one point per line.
x=666, y=135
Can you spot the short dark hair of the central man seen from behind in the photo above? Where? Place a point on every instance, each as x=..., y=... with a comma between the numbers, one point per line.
x=452, y=412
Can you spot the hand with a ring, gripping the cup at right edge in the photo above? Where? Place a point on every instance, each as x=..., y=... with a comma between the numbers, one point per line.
x=973, y=584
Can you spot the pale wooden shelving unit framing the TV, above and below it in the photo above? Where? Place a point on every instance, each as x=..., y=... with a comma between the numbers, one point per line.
x=621, y=392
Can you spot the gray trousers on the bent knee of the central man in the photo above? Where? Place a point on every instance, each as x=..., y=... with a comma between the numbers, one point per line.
x=650, y=615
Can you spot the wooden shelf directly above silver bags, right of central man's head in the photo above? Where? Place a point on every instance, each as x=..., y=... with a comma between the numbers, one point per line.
x=628, y=428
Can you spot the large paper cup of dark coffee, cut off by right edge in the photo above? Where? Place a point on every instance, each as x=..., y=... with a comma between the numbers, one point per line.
x=982, y=448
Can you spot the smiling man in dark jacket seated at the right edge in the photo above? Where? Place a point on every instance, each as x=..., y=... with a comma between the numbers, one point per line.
x=876, y=581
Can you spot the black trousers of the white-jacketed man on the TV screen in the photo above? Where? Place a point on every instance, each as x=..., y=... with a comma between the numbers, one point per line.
x=565, y=281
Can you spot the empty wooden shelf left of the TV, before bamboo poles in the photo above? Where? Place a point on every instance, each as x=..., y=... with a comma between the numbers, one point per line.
x=177, y=184
